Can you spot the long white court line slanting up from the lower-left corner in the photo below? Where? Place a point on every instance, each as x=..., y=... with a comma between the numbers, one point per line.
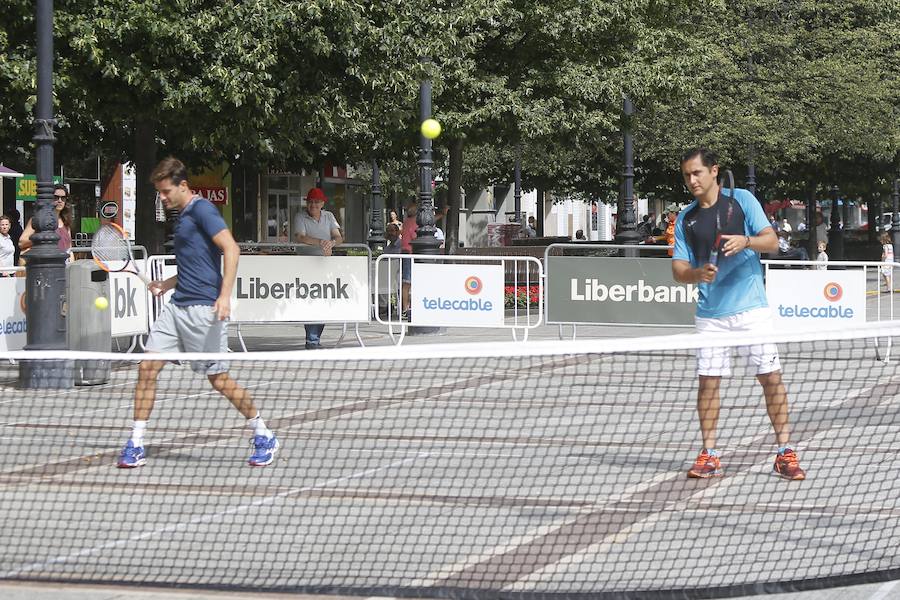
x=37, y=566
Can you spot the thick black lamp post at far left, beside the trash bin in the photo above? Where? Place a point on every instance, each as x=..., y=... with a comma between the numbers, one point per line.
x=45, y=283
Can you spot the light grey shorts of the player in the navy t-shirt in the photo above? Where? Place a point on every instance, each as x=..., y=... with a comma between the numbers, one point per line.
x=190, y=329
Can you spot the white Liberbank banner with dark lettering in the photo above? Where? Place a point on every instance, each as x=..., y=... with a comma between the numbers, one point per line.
x=314, y=289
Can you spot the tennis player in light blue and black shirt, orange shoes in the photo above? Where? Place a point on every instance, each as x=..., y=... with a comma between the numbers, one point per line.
x=717, y=241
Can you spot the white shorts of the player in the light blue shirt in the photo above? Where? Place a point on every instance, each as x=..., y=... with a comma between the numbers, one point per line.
x=716, y=362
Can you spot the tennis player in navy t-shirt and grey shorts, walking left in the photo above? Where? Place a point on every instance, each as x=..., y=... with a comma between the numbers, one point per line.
x=195, y=319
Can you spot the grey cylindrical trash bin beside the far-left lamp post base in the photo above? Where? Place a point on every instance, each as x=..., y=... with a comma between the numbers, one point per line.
x=88, y=327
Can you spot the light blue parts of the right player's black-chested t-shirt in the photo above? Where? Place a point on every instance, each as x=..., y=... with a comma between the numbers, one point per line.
x=738, y=286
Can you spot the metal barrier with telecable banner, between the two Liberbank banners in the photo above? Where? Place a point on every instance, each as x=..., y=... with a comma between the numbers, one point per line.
x=500, y=278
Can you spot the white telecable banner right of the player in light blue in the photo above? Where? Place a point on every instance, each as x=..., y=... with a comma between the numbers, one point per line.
x=810, y=300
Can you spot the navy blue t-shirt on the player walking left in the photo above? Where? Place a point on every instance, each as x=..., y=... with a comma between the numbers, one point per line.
x=199, y=259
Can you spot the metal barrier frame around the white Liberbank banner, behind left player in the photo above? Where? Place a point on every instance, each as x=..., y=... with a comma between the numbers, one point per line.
x=164, y=266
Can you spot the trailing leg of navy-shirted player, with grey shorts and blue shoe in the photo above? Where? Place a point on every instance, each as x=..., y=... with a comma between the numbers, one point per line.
x=202, y=331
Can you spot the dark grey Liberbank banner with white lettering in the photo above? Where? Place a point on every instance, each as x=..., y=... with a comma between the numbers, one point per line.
x=630, y=291
